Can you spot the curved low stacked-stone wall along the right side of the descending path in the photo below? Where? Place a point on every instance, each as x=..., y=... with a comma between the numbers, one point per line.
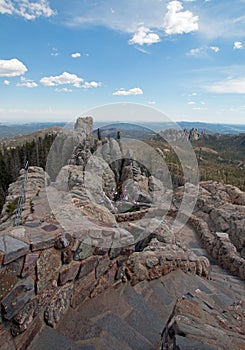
x=219, y=246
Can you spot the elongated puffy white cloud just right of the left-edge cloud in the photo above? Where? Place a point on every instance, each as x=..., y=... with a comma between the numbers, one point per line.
x=63, y=79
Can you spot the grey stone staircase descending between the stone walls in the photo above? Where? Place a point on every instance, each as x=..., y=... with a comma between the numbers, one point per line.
x=132, y=318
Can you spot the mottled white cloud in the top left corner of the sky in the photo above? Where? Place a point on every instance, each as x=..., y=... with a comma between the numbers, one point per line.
x=27, y=9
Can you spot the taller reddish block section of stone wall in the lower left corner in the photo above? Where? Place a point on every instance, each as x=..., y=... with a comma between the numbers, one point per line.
x=40, y=280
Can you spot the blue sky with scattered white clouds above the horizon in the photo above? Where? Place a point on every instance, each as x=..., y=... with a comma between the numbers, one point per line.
x=59, y=59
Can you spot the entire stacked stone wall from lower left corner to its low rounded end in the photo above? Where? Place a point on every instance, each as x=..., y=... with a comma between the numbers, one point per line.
x=41, y=279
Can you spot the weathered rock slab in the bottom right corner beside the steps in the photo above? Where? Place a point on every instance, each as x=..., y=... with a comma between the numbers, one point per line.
x=198, y=323
